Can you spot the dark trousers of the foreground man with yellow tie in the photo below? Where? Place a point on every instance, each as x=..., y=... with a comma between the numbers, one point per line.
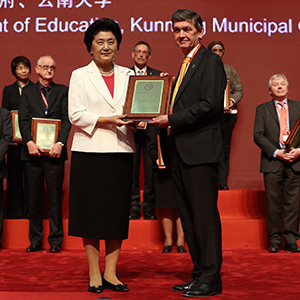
x=197, y=187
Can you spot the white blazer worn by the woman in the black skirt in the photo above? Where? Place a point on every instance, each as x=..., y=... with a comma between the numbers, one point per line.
x=89, y=98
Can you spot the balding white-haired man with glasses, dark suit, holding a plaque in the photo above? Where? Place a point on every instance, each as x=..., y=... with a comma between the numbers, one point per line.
x=45, y=99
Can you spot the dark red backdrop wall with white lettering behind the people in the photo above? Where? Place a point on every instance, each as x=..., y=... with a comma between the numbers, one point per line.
x=261, y=38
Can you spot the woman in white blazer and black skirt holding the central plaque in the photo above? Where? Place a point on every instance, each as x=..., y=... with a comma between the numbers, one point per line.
x=102, y=154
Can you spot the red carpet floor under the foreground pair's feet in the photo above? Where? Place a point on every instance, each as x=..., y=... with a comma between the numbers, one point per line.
x=247, y=274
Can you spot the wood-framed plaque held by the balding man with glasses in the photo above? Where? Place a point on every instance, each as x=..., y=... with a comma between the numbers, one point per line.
x=45, y=132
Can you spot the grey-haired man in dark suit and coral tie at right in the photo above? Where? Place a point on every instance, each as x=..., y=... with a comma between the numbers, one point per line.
x=281, y=168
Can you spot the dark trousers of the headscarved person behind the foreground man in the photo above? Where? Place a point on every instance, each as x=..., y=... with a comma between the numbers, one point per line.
x=229, y=122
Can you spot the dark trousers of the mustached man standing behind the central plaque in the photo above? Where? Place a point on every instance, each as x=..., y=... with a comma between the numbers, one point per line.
x=141, y=144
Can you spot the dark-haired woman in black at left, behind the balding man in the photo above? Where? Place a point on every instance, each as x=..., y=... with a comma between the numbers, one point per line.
x=17, y=206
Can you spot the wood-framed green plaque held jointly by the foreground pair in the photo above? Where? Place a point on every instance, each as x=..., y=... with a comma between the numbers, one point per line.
x=147, y=97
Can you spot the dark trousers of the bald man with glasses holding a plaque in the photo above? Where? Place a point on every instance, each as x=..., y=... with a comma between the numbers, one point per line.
x=35, y=172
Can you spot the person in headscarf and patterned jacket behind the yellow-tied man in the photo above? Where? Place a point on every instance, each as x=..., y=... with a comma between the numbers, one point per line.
x=230, y=117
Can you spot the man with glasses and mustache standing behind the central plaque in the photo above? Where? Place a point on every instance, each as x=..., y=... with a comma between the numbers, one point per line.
x=141, y=54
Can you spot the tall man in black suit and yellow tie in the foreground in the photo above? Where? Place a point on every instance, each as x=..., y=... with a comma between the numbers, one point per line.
x=196, y=145
